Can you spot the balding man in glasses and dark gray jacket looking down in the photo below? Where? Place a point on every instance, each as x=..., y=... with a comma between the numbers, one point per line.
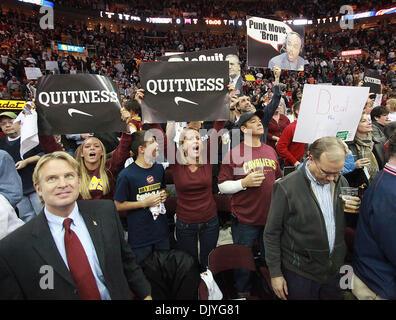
x=304, y=234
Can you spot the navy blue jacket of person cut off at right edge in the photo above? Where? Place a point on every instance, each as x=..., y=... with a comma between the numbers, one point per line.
x=375, y=241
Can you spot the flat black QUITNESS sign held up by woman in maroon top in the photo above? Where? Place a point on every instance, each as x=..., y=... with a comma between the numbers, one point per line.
x=188, y=91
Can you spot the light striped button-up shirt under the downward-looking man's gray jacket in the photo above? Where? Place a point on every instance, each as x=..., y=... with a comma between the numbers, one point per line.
x=324, y=196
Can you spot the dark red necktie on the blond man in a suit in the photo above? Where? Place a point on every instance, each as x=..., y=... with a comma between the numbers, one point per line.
x=79, y=265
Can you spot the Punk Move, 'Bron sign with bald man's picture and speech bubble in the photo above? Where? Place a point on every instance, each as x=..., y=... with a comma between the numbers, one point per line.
x=274, y=43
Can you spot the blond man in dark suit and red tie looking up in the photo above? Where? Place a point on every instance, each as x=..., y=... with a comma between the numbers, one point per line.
x=72, y=249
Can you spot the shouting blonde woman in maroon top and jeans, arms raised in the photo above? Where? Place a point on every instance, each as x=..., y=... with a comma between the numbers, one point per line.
x=196, y=213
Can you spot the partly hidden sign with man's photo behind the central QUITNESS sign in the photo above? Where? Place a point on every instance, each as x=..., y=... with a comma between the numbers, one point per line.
x=229, y=54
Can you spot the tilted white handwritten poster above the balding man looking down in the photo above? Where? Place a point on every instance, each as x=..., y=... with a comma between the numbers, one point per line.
x=329, y=111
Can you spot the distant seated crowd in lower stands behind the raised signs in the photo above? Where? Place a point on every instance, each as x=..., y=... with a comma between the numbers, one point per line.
x=24, y=44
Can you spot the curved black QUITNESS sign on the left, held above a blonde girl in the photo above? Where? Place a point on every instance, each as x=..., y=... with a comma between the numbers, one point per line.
x=77, y=103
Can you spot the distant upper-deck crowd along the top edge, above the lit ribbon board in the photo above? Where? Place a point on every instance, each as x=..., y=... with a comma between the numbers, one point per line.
x=226, y=9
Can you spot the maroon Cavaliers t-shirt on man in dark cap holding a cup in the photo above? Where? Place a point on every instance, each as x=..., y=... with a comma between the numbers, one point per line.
x=251, y=205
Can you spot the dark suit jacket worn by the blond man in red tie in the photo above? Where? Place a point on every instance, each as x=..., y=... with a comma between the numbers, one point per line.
x=24, y=252
